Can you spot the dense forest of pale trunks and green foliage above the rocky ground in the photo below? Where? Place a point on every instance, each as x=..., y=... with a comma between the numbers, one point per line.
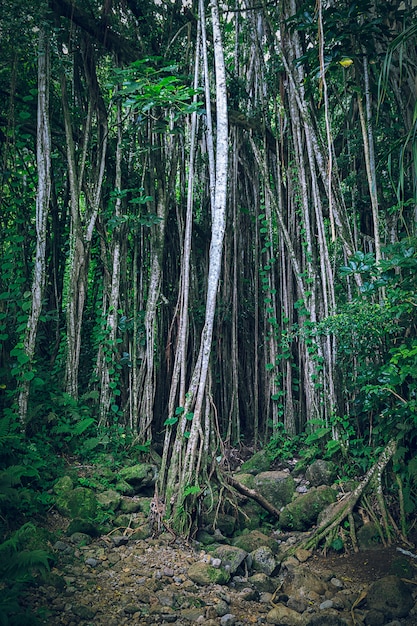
x=144, y=303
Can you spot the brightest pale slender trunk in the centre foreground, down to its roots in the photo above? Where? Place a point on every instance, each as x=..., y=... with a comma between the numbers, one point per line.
x=184, y=480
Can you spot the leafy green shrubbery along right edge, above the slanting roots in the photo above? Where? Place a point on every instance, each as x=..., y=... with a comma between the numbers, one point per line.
x=377, y=357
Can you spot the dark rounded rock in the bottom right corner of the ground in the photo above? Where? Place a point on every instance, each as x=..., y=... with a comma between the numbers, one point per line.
x=390, y=596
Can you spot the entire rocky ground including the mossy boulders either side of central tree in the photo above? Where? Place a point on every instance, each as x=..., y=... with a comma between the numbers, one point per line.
x=230, y=575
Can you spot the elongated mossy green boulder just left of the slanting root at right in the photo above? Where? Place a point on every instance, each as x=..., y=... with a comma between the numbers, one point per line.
x=302, y=513
